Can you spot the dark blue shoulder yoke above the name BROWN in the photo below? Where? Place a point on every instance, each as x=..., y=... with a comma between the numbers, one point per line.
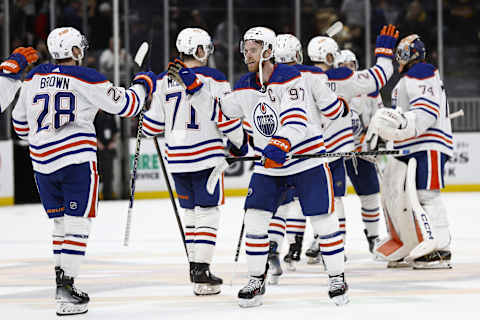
x=81, y=73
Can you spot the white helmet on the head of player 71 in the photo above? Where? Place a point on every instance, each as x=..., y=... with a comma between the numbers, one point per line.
x=189, y=39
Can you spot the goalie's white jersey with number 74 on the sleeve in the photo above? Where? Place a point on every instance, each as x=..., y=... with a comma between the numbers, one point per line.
x=421, y=91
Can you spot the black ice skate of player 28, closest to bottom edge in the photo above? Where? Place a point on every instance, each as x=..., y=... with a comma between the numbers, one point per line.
x=70, y=300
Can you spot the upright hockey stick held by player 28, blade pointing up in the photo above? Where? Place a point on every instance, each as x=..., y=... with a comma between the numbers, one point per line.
x=139, y=57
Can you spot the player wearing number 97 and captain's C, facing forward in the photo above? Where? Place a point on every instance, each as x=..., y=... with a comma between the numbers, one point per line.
x=271, y=97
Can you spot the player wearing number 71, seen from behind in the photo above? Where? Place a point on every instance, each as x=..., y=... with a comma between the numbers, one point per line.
x=194, y=146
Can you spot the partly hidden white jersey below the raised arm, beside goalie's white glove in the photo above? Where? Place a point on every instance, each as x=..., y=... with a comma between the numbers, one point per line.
x=363, y=108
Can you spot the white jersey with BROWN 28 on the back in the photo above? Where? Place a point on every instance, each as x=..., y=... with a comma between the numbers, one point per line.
x=56, y=109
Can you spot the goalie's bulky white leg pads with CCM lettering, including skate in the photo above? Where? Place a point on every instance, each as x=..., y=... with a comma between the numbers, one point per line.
x=410, y=239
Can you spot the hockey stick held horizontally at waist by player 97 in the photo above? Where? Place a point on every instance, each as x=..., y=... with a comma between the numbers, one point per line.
x=218, y=170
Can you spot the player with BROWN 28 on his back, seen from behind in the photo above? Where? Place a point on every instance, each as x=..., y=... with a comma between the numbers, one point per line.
x=55, y=113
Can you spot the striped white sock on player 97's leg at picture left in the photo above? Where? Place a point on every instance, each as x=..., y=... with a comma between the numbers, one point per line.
x=256, y=240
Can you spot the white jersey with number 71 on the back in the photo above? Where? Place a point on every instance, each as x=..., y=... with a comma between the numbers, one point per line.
x=194, y=137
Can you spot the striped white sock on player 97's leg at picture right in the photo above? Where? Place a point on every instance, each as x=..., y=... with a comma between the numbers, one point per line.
x=331, y=242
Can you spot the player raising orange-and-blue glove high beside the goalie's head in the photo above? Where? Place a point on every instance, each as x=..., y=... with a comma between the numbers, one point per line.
x=323, y=51
